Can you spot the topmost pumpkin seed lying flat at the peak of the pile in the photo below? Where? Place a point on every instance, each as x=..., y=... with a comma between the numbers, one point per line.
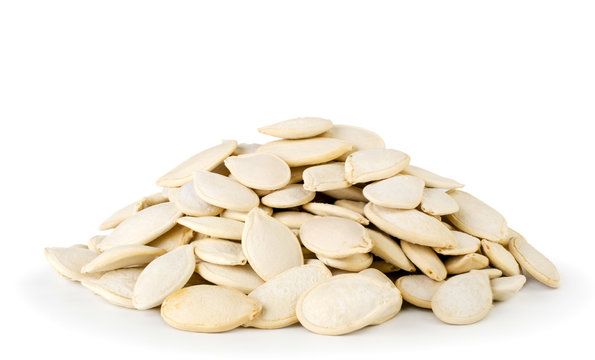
x=298, y=128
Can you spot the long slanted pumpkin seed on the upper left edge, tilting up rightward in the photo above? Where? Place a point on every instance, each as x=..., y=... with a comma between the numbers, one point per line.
x=205, y=160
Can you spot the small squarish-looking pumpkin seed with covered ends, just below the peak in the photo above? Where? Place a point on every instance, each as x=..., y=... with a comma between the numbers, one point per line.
x=325, y=177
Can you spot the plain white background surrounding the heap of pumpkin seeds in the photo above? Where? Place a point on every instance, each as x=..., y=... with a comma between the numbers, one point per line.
x=98, y=99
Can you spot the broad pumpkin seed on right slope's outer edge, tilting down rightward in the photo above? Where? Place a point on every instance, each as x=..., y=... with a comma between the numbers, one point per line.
x=477, y=218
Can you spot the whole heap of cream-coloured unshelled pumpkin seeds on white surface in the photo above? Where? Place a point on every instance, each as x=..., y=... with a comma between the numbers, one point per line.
x=325, y=227
